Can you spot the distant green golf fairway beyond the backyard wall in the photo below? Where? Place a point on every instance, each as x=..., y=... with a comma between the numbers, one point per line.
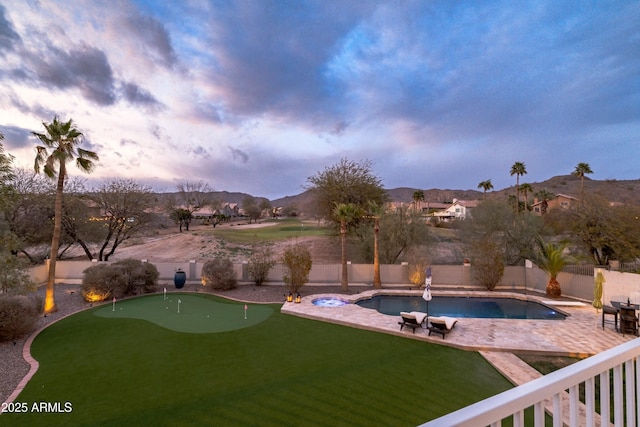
x=279, y=230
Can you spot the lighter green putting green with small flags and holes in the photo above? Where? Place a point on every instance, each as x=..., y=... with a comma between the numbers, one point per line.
x=190, y=313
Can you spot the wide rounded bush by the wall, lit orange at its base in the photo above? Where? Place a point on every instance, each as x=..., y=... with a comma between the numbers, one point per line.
x=125, y=277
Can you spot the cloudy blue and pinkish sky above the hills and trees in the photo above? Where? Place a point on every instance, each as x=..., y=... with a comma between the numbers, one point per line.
x=256, y=96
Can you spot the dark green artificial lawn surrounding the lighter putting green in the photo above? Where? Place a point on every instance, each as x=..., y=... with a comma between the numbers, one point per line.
x=118, y=371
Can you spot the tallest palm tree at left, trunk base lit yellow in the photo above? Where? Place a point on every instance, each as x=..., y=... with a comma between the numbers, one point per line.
x=60, y=145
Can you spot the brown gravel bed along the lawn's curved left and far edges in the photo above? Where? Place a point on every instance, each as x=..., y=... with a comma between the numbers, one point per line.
x=13, y=367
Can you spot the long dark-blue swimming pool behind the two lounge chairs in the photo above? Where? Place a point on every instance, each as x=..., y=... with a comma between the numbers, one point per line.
x=478, y=307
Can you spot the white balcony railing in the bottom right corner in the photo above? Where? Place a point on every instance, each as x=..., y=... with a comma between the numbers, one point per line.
x=549, y=393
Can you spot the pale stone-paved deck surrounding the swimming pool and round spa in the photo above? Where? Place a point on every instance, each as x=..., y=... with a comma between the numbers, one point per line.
x=580, y=334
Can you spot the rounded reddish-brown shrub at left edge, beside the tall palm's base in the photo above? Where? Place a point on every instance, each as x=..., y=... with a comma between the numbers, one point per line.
x=18, y=316
